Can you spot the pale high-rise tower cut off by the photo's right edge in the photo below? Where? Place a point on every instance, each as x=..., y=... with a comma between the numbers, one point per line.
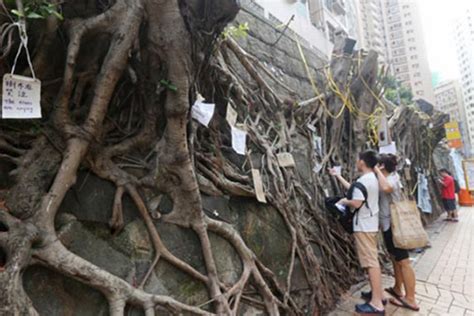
x=464, y=39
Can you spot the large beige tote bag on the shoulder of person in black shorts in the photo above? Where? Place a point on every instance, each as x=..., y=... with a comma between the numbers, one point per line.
x=407, y=229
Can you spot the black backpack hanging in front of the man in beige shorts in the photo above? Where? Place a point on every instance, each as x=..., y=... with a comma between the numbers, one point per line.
x=346, y=216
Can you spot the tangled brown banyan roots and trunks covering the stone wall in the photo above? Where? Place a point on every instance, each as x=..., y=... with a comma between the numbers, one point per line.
x=131, y=72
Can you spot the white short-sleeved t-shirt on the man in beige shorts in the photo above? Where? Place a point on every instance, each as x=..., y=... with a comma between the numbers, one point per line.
x=367, y=219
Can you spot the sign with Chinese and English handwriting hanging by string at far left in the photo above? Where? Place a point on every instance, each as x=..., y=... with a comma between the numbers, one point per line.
x=21, y=97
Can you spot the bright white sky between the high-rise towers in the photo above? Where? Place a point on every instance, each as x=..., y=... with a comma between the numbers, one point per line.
x=438, y=17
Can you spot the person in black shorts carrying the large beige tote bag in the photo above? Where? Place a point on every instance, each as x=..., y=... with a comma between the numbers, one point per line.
x=391, y=191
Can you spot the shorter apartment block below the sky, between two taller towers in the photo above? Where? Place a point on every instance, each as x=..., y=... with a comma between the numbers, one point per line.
x=449, y=99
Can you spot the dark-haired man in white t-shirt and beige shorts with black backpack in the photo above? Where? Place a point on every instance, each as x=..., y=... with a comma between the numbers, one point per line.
x=365, y=207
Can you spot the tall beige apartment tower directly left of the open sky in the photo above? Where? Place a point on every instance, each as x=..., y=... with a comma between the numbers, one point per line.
x=406, y=48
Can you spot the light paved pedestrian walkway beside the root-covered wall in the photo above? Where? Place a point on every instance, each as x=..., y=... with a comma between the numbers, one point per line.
x=444, y=272
